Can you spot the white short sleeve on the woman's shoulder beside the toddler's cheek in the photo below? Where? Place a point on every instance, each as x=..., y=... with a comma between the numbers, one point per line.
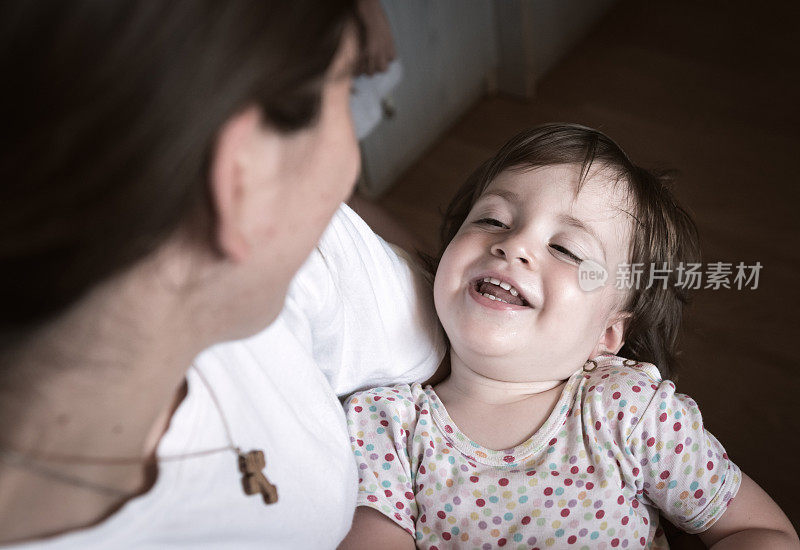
x=364, y=311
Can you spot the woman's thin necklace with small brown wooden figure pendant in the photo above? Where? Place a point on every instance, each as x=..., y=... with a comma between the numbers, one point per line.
x=251, y=463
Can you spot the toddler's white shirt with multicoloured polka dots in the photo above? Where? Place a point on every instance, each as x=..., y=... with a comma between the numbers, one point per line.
x=619, y=446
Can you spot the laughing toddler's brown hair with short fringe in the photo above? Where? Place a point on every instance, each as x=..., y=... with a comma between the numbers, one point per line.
x=663, y=232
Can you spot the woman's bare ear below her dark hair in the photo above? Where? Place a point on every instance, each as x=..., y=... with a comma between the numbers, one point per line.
x=240, y=141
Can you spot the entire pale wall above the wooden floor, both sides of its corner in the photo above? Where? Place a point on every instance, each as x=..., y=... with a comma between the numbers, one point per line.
x=449, y=48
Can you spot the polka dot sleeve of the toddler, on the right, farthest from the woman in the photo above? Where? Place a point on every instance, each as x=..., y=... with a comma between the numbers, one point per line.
x=684, y=470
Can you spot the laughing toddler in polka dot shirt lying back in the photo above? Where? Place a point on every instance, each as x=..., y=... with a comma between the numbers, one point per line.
x=557, y=425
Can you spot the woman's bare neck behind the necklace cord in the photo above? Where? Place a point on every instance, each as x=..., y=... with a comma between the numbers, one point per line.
x=102, y=382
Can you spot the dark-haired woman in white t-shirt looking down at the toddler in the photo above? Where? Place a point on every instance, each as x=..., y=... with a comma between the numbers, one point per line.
x=168, y=169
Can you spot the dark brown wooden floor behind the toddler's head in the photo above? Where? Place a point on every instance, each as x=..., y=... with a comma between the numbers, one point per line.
x=709, y=88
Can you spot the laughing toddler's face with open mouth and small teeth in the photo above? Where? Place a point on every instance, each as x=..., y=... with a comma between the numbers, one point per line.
x=520, y=232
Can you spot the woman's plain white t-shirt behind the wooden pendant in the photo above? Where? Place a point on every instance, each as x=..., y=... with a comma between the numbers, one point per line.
x=357, y=315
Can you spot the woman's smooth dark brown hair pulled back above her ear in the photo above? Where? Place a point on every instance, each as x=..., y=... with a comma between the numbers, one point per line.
x=110, y=114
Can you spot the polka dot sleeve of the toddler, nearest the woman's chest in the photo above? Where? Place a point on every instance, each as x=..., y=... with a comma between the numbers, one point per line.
x=380, y=421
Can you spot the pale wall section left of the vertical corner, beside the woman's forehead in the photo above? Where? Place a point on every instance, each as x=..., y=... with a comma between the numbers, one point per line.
x=447, y=48
